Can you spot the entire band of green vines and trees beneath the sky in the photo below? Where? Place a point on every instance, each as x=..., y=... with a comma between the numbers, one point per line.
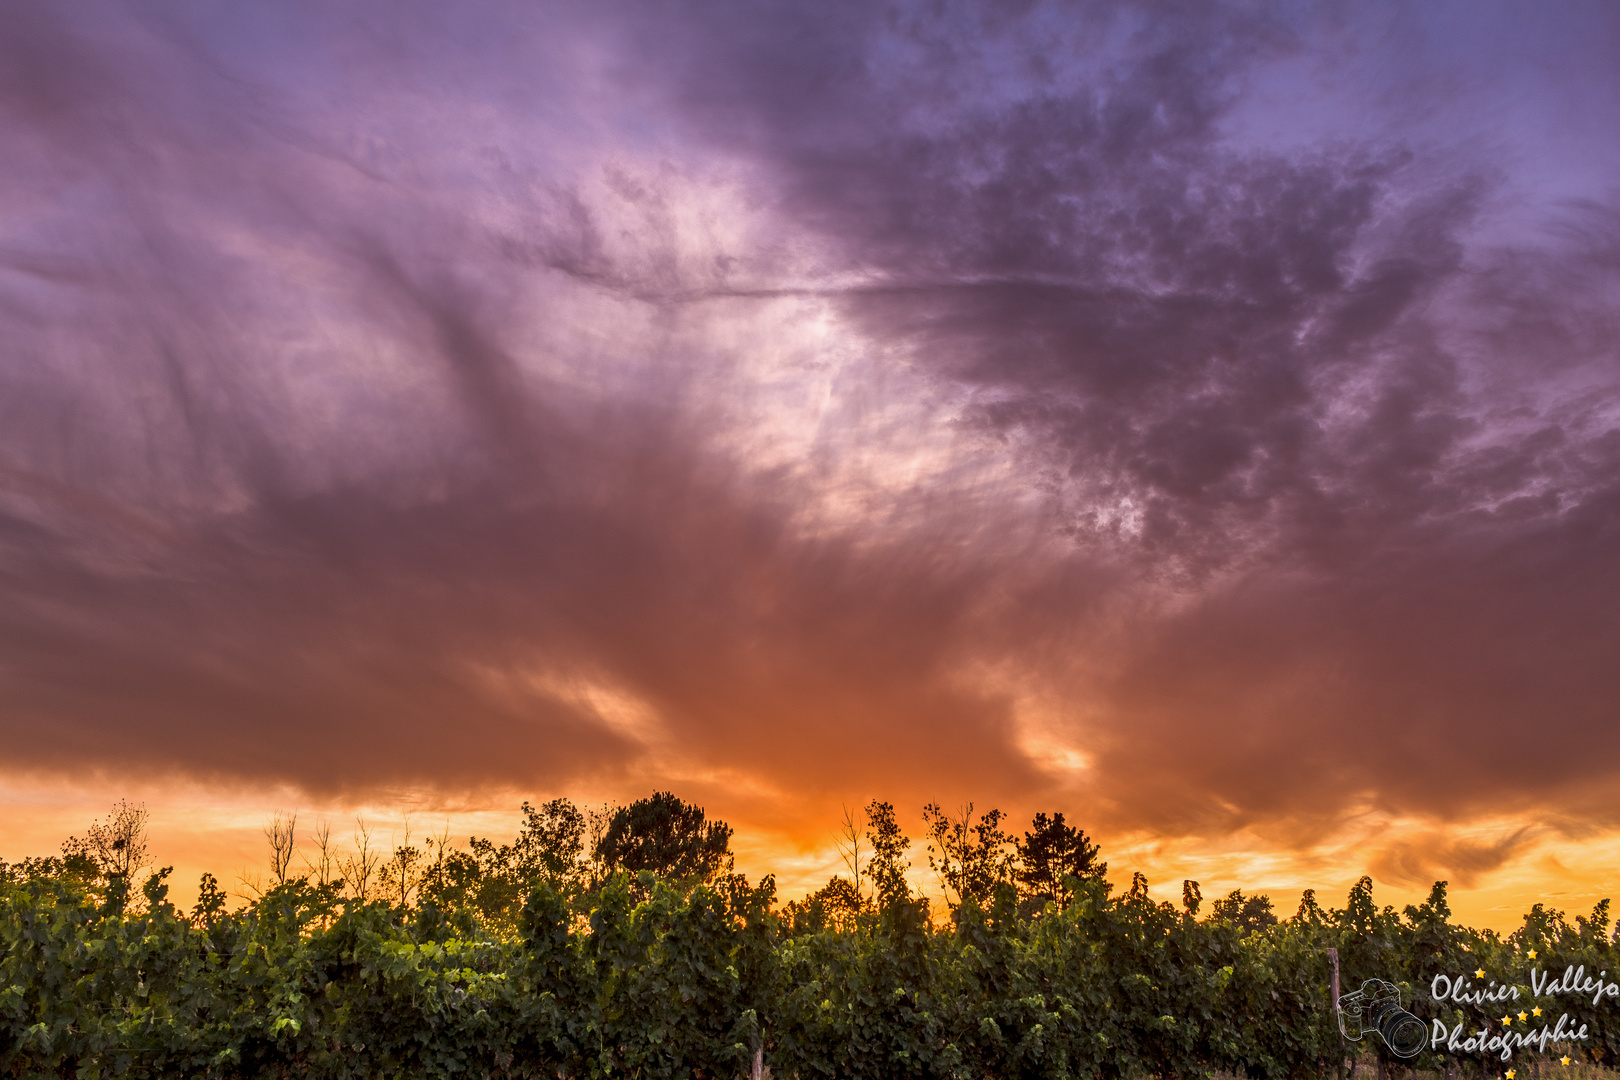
x=623, y=942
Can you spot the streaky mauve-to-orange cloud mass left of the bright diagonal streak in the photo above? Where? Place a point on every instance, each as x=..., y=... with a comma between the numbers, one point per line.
x=249, y=537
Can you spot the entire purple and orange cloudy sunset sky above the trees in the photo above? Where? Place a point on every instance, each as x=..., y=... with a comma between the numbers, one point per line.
x=1196, y=419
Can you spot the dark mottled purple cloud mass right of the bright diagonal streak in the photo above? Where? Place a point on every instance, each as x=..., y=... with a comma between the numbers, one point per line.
x=1371, y=451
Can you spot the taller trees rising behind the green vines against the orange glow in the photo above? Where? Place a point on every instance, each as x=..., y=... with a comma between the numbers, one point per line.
x=576, y=851
